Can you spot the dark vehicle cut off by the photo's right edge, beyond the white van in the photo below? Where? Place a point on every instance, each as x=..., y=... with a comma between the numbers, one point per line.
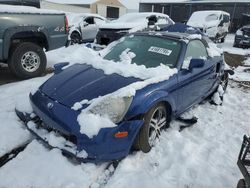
x=242, y=37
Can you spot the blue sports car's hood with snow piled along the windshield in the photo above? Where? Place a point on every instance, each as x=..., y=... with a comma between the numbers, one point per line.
x=70, y=86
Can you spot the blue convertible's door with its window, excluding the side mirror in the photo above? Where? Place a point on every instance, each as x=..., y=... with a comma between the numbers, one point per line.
x=195, y=84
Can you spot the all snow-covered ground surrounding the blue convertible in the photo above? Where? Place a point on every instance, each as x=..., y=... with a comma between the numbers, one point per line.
x=203, y=155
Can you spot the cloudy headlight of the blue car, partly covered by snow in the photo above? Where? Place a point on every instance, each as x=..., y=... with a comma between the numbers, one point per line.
x=114, y=108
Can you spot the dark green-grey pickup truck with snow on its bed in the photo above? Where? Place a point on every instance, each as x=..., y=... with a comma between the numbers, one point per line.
x=26, y=33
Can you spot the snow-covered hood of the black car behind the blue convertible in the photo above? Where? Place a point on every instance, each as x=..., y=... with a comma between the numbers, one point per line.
x=122, y=25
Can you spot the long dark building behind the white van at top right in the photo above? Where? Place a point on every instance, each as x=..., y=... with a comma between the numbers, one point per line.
x=181, y=10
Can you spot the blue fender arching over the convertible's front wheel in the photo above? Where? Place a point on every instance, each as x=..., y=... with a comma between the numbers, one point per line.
x=151, y=100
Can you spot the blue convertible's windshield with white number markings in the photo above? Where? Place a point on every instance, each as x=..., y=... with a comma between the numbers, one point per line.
x=150, y=51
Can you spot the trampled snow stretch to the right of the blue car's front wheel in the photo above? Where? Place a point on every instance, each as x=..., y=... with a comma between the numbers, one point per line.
x=204, y=155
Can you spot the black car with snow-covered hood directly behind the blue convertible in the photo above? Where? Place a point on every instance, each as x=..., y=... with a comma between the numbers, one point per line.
x=128, y=23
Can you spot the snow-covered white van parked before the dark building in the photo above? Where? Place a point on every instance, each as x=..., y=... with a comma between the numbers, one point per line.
x=215, y=24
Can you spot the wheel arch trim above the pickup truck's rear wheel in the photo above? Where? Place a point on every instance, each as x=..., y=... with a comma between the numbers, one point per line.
x=14, y=30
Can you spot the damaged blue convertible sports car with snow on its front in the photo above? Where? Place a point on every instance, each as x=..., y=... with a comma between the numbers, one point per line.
x=140, y=118
